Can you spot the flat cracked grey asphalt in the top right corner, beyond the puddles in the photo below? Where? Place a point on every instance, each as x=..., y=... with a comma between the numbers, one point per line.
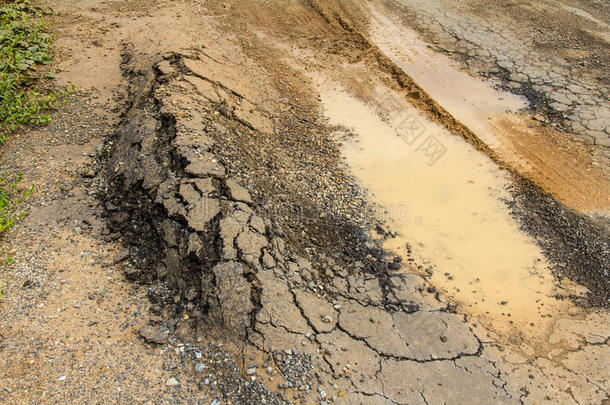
x=554, y=53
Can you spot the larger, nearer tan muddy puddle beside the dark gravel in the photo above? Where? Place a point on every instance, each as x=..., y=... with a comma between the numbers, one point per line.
x=450, y=211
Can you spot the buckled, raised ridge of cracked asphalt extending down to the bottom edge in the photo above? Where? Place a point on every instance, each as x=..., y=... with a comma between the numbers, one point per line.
x=367, y=335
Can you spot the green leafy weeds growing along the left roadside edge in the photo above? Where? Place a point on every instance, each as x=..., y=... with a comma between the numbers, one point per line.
x=25, y=46
